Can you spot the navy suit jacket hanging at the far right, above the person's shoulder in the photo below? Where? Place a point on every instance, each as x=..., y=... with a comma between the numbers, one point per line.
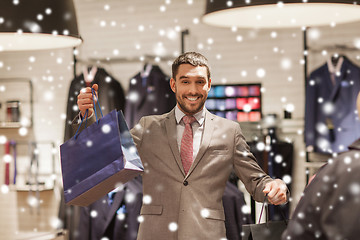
x=331, y=121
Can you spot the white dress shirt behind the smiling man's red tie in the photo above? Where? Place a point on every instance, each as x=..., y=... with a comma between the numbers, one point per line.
x=197, y=127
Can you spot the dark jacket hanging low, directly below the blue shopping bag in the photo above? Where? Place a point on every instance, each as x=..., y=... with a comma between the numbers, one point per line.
x=118, y=221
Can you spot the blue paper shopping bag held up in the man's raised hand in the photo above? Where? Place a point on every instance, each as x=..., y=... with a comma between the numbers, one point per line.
x=98, y=159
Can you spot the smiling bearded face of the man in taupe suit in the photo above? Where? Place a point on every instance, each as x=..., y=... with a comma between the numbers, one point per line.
x=191, y=88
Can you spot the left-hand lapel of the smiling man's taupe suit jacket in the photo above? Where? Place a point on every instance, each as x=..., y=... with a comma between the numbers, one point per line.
x=170, y=125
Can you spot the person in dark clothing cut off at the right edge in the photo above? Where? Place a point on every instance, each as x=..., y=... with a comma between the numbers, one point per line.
x=330, y=205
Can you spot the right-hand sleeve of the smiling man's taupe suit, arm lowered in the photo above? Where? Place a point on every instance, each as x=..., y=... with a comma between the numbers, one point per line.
x=247, y=168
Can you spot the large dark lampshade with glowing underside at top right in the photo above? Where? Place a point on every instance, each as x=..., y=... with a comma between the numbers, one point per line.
x=280, y=14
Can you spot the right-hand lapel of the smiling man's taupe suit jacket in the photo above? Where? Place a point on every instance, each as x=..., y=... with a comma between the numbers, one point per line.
x=206, y=138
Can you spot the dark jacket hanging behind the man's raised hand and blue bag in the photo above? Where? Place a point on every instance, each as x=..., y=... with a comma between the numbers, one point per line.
x=111, y=96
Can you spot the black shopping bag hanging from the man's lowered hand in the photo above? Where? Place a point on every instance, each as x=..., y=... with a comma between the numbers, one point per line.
x=270, y=230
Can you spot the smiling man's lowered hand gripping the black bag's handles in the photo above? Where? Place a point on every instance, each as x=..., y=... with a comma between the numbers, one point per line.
x=276, y=191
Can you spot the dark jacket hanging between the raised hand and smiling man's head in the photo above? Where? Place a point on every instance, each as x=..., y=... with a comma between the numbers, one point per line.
x=148, y=95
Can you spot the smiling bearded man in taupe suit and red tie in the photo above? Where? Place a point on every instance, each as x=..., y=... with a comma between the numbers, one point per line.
x=187, y=165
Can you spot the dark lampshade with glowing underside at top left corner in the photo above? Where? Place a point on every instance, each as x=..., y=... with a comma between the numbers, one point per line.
x=37, y=25
